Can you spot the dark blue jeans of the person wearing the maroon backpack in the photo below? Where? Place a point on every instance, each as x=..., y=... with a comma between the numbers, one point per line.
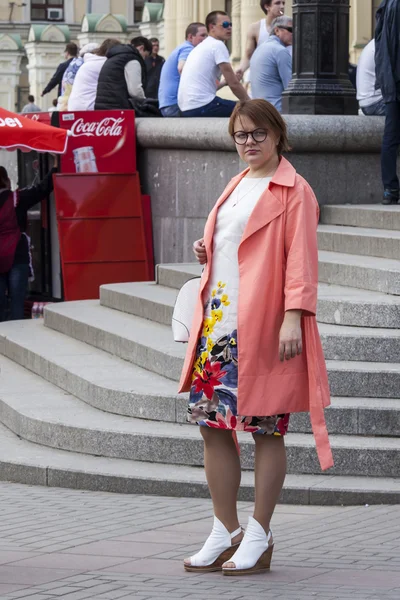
x=16, y=283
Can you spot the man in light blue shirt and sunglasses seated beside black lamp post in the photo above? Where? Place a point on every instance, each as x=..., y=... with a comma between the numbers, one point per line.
x=271, y=63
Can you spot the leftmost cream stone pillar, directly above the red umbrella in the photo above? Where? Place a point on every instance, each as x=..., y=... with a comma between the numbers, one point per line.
x=11, y=53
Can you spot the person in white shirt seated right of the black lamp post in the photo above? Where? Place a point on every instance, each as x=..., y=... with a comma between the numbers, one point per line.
x=369, y=98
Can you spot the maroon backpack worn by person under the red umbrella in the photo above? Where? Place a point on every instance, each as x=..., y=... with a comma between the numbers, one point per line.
x=10, y=233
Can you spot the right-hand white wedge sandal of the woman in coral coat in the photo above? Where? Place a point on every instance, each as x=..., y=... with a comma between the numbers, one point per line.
x=254, y=553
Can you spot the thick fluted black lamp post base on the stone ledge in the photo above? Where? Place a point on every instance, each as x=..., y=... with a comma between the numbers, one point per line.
x=320, y=83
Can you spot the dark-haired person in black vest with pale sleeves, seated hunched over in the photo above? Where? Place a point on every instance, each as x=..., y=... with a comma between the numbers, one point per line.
x=123, y=75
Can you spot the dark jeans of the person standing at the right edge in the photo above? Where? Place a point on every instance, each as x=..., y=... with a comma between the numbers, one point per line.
x=390, y=146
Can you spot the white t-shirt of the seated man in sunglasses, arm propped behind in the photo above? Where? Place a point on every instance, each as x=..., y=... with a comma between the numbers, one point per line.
x=198, y=86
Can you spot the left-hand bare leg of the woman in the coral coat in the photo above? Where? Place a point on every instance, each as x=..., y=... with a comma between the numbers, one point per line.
x=222, y=466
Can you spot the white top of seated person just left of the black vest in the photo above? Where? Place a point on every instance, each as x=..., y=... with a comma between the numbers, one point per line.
x=84, y=88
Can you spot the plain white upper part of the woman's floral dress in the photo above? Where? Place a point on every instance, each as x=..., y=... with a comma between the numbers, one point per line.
x=230, y=225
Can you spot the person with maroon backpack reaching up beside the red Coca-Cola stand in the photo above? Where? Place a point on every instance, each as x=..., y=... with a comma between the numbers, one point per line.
x=15, y=257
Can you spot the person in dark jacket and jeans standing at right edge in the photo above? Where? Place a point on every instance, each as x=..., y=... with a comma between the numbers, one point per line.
x=387, y=63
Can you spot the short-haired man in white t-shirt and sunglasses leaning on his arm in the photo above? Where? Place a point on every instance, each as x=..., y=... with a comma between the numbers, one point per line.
x=201, y=74
